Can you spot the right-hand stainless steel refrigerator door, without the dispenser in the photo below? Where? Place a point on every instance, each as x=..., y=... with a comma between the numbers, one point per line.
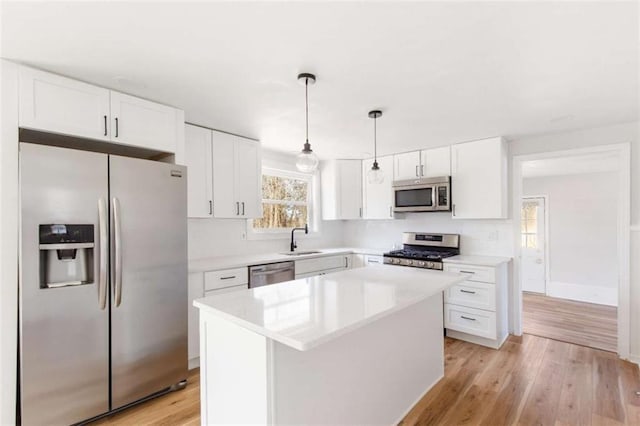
x=149, y=277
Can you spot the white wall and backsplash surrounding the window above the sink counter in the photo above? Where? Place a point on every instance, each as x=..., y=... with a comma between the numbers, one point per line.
x=223, y=237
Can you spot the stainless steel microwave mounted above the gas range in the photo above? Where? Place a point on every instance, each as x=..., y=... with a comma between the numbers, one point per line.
x=422, y=195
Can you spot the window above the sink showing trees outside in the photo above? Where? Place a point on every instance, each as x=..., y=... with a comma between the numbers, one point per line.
x=286, y=201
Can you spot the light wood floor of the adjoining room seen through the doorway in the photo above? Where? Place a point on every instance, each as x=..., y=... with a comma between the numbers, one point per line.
x=581, y=323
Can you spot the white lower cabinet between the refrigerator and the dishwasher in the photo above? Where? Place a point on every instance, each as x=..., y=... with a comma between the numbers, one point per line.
x=203, y=284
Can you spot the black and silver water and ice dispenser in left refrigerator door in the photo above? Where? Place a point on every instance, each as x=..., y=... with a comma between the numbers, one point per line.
x=66, y=255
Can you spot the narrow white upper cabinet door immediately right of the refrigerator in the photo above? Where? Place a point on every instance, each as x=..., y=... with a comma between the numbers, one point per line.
x=200, y=171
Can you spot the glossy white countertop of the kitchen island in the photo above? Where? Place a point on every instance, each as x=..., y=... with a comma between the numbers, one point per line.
x=307, y=312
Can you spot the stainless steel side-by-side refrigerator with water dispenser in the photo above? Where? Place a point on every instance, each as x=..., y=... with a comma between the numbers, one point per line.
x=103, y=282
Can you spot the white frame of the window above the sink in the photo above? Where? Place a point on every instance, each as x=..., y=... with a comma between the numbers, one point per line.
x=311, y=203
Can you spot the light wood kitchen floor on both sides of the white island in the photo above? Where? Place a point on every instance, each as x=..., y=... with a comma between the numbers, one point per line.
x=531, y=380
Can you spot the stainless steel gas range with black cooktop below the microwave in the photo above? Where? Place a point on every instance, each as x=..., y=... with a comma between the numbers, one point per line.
x=423, y=250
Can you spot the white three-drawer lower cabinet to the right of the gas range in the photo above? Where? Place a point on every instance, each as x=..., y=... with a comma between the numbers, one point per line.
x=476, y=310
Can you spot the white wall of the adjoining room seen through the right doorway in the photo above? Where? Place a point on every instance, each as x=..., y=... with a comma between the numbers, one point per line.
x=583, y=220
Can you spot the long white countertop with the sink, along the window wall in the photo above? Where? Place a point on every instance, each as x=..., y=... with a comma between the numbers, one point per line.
x=240, y=261
